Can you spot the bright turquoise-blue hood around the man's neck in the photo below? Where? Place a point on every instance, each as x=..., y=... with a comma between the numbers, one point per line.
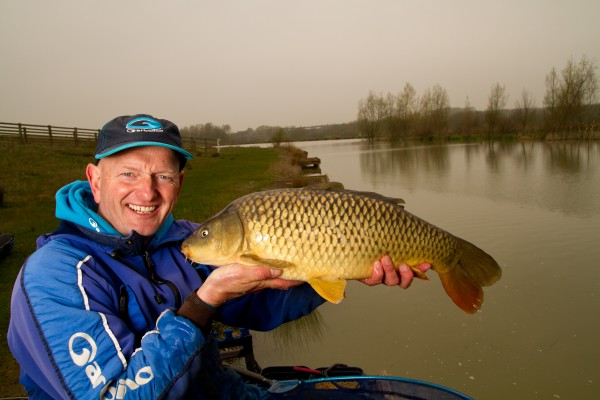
x=75, y=204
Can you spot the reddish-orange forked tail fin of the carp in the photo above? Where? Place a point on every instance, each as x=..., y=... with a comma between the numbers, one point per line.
x=464, y=282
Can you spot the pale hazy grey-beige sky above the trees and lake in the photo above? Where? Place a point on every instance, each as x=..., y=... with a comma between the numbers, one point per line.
x=274, y=62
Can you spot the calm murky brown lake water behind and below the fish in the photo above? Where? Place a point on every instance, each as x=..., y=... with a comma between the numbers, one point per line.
x=535, y=207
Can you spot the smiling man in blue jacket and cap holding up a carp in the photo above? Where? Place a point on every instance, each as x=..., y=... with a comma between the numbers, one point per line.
x=108, y=306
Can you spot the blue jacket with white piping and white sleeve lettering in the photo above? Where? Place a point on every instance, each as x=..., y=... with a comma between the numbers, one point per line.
x=93, y=313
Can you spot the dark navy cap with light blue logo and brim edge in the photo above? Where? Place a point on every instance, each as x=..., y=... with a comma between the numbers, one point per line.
x=139, y=130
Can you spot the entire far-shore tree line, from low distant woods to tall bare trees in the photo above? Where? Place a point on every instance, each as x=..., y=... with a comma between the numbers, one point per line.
x=569, y=110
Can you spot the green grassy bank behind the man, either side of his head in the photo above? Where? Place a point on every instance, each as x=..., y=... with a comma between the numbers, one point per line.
x=30, y=175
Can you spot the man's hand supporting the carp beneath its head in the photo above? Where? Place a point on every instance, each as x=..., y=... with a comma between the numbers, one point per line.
x=235, y=280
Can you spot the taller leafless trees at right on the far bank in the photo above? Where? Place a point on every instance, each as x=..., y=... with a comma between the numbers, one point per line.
x=570, y=109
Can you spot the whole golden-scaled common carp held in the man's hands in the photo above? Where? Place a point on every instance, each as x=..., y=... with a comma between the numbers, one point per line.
x=325, y=235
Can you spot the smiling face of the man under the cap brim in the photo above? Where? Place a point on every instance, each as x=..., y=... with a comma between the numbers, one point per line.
x=136, y=189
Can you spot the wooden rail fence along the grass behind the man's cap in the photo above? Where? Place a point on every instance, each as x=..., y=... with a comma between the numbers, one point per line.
x=36, y=133
